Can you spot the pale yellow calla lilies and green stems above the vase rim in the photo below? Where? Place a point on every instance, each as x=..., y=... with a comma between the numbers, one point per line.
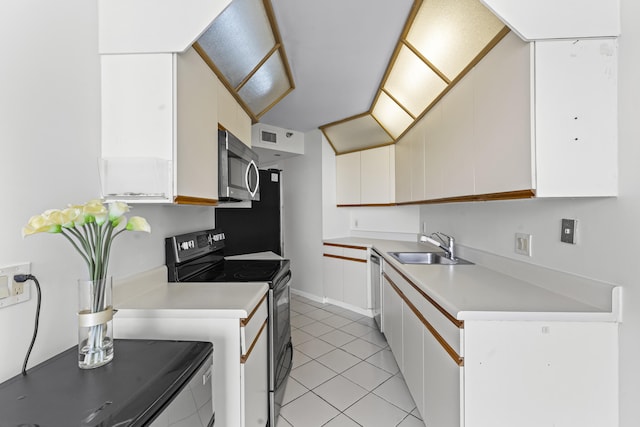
x=90, y=228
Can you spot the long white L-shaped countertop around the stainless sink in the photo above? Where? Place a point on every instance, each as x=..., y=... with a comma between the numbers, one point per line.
x=478, y=292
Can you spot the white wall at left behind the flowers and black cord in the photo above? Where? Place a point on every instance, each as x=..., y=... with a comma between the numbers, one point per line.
x=49, y=142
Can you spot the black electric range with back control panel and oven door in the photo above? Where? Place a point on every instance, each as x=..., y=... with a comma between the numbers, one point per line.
x=199, y=257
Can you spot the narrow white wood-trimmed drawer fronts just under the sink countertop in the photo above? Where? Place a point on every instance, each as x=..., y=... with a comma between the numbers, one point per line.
x=442, y=322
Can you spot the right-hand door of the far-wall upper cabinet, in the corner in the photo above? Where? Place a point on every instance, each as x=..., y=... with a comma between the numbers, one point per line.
x=375, y=177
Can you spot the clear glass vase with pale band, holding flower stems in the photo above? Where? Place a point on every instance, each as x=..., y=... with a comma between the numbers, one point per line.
x=95, y=323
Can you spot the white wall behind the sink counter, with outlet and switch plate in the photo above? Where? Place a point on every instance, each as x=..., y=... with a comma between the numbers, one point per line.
x=607, y=248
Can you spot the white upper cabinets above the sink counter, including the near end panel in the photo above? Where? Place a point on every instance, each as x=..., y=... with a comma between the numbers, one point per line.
x=531, y=119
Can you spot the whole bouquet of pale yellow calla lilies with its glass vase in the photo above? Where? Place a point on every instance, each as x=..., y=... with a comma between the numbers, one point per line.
x=91, y=229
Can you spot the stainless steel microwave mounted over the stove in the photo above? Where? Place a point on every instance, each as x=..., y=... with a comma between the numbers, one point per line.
x=238, y=177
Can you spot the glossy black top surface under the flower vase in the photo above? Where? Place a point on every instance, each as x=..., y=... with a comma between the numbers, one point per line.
x=130, y=391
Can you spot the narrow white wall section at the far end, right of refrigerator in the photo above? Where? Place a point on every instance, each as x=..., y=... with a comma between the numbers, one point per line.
x=302, y=190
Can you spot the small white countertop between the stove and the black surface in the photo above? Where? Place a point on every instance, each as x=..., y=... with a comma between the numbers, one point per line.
x=149, y=295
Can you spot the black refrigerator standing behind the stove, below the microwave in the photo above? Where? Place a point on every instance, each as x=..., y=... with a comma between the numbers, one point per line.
x=259, y=228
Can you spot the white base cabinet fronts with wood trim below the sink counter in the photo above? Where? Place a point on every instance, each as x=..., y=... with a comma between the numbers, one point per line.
x=426, y=345
